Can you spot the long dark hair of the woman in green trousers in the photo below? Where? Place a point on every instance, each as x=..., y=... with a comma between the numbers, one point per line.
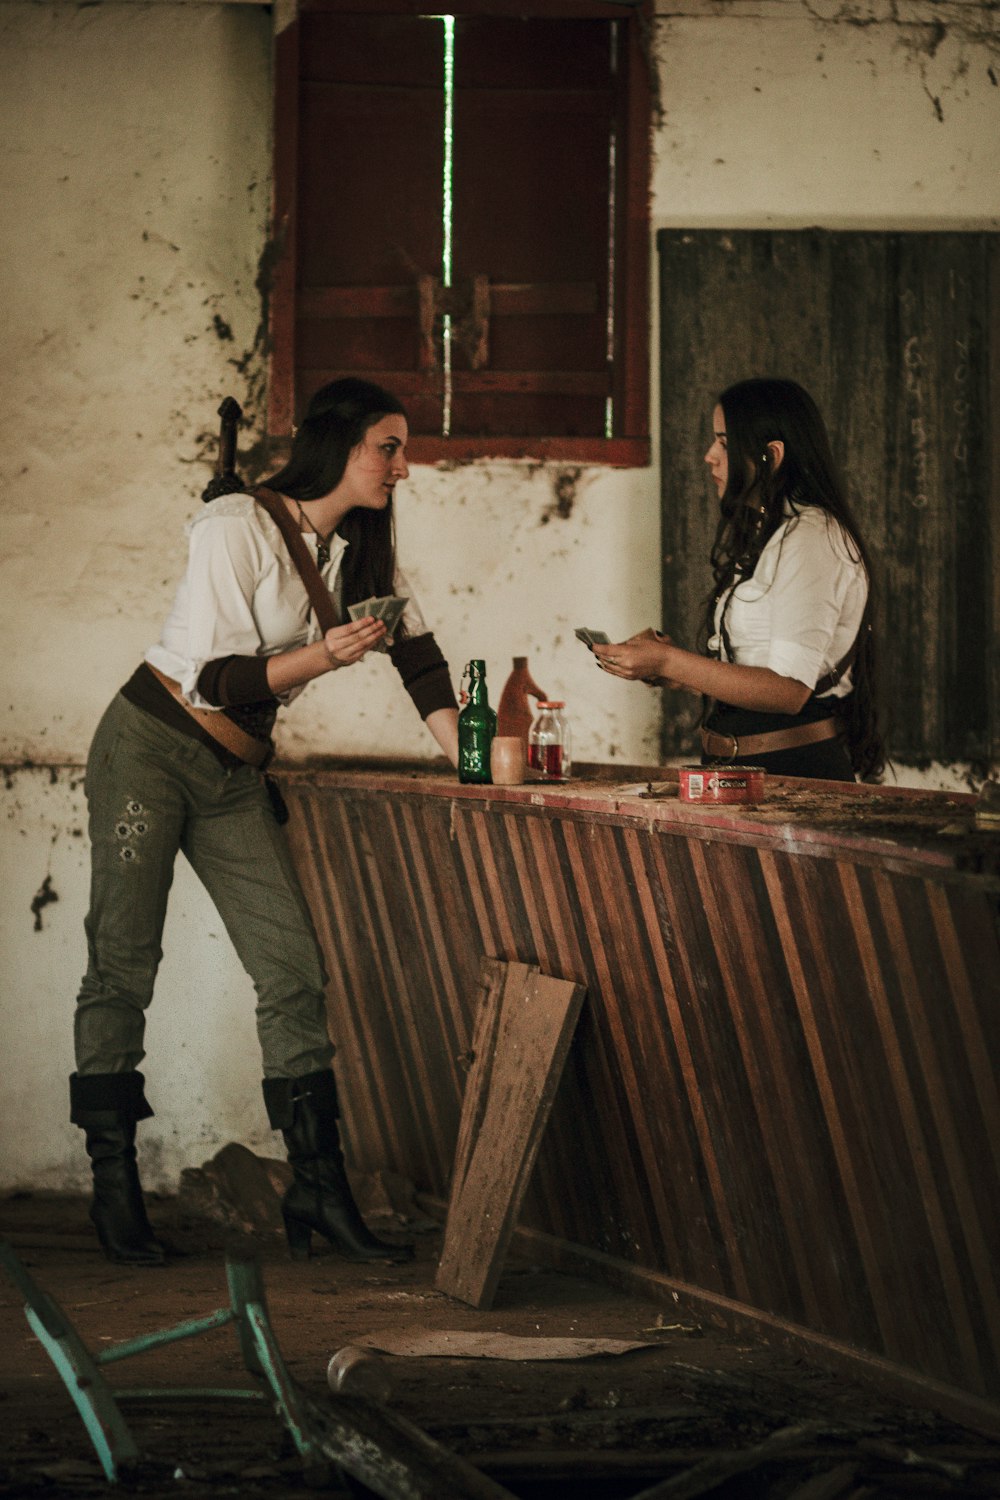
x=337, y=421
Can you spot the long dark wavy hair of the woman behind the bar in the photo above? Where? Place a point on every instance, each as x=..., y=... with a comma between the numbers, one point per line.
x=758, y=500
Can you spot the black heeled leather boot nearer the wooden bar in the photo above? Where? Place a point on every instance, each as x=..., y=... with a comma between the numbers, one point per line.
x=320, y=1196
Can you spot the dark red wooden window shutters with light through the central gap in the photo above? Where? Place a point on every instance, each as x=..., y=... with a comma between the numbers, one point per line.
x=546, y=296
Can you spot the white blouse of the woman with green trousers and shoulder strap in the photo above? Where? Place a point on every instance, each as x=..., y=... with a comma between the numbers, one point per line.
x=242, y=595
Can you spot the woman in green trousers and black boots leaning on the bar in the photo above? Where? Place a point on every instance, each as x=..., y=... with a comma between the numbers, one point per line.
x=178, y=764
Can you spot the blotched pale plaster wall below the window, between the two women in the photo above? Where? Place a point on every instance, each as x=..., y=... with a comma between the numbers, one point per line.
x=503, y=574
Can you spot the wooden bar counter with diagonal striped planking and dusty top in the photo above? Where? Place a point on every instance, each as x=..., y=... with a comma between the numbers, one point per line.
x=782, y=1105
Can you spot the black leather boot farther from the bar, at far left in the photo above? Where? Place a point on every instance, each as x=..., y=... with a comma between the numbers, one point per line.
x=107, y=1106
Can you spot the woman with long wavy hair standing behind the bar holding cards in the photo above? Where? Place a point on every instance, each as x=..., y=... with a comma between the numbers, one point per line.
x=789, y=674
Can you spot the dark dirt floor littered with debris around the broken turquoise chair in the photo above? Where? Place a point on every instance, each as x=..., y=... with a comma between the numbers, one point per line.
x=672, y=1415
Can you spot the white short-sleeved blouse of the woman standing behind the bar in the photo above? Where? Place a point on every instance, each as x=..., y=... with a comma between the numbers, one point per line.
x=801, y=608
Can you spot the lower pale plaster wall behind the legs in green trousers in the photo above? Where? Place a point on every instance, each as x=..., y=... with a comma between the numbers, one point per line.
x=203, y=1081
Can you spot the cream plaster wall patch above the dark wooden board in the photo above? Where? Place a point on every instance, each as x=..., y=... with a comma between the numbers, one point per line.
x=848, y=115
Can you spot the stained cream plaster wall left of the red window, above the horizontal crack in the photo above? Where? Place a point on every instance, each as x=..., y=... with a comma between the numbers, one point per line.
x=136, y=184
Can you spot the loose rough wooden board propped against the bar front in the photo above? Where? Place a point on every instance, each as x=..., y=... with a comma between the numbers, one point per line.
x=524, y=1030
